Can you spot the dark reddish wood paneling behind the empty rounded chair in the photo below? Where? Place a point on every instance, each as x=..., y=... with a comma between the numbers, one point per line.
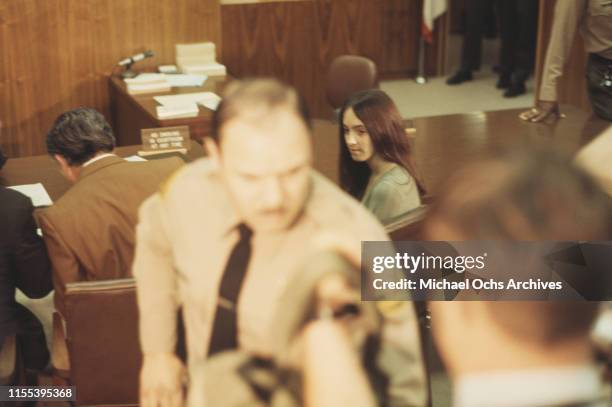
x=296, y=41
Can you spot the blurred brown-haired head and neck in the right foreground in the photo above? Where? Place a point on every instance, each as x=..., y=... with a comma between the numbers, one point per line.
x=518, y=196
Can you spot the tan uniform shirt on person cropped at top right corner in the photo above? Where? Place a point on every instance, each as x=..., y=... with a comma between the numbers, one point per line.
x=594, y=19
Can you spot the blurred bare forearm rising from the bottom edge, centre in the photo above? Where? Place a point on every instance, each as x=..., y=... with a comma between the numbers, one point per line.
x=333, y=375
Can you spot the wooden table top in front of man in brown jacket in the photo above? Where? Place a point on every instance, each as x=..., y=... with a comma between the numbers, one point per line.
x=43, y=169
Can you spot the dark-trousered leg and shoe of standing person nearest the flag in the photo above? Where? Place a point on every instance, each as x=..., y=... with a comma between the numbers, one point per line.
x=476, y=15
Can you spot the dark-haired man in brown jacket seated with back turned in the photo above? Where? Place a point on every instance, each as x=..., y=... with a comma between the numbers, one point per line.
x=89, y=231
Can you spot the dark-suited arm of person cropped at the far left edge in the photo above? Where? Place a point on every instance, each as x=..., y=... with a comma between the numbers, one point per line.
x=32, y=266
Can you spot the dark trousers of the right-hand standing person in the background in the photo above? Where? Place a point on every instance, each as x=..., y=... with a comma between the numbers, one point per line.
x=518, y=26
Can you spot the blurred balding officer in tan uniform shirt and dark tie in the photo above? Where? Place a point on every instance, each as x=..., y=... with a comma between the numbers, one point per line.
x=225, y=236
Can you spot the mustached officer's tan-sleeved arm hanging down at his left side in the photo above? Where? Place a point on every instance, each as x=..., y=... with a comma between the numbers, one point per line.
x=162, y=373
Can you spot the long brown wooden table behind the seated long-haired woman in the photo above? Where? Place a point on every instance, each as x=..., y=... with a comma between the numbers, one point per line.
x=442, y=144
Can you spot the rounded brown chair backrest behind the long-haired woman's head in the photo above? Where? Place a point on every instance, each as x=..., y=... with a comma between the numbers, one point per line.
x=349, y=74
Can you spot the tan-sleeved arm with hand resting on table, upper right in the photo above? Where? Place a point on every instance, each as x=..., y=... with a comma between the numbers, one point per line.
x=567, y=17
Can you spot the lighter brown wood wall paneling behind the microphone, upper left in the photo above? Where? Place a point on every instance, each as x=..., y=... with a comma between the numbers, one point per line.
x=57, y=54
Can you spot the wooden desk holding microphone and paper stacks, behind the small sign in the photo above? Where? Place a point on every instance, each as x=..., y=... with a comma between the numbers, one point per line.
x=131, y=113
